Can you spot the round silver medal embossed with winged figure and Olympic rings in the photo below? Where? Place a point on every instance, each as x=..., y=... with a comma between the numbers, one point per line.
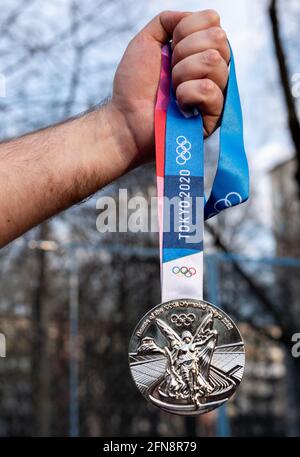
x=187, y=357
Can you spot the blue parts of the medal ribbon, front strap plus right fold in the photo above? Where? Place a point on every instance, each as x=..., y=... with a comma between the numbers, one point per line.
x=184, y=157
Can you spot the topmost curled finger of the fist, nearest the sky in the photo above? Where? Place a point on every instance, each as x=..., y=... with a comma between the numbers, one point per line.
x=194, y=23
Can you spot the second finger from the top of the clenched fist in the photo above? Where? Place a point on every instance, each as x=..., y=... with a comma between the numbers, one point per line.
x=213, y=38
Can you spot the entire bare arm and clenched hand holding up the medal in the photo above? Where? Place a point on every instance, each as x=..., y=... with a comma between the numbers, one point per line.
x=47, y=171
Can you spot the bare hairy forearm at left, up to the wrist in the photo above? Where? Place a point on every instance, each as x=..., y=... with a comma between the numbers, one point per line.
x=45, y=172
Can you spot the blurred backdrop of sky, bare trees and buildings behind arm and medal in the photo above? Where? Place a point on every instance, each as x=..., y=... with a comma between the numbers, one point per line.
x=70, y=296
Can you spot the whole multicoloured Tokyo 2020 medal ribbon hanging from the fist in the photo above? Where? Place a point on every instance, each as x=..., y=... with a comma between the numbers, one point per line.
x=182, y=206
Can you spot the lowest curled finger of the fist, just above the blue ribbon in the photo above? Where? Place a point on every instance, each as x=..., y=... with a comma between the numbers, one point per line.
x=207, y=96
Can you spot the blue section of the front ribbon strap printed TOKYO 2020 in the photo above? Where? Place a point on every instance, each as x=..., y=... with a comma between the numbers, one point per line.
x=184, y=180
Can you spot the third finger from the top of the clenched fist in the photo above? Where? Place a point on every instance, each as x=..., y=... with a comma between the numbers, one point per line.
x=208, y=64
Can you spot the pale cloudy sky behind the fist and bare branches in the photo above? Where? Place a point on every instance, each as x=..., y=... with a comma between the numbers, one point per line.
x=247, y=25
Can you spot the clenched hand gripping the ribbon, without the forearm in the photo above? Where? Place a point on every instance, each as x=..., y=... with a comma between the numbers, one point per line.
x=199, y=73
